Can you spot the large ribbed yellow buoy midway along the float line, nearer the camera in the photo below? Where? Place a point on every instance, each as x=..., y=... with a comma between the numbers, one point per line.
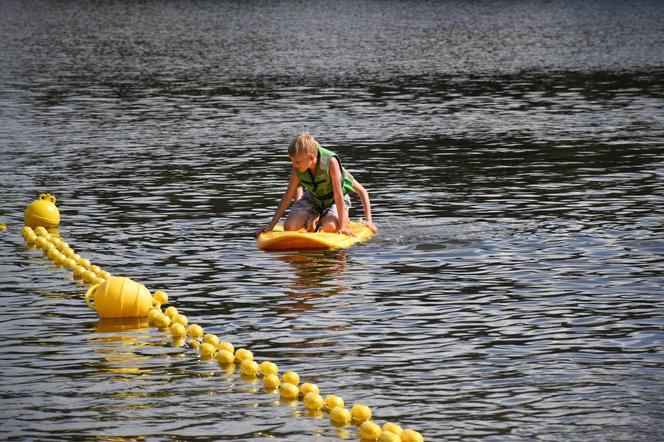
x=120, y=297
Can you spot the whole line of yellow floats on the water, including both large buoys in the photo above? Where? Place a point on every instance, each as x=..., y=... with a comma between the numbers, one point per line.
x=115, y=296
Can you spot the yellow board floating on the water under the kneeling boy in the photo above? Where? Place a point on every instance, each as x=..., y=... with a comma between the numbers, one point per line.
x=277, y=239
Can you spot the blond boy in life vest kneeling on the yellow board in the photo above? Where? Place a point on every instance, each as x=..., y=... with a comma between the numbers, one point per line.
x=325, y=201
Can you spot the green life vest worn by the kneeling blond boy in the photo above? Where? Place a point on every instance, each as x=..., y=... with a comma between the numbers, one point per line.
x=319, y=184
